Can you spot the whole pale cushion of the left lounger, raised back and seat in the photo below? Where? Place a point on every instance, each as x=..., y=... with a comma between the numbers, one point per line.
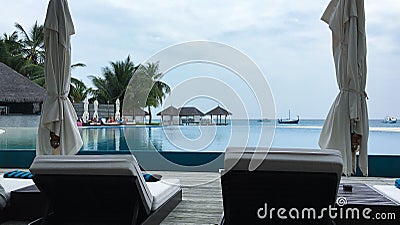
x=156, y=193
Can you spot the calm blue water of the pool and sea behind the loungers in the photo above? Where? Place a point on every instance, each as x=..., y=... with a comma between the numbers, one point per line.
x=384, y=138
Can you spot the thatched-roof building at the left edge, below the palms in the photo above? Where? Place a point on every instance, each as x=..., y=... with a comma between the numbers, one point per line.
x=18, y=94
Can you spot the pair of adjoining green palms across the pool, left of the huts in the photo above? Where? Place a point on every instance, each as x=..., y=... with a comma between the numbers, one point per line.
x=147, y=90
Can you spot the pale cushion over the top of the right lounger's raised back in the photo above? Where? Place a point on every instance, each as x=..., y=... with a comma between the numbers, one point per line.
x=284, y=159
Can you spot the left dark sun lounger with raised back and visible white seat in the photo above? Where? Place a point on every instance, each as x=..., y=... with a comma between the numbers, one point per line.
x=106, y=189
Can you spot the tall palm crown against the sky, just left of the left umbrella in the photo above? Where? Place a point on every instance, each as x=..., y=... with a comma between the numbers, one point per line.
x=32, y=43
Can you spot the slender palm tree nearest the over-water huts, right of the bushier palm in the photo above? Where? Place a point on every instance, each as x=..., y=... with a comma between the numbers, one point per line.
x=158, y=90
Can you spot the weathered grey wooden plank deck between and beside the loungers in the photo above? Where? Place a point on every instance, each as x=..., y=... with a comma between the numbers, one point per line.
x=202, y=198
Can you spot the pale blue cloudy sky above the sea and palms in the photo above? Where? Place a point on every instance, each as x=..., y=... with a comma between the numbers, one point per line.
x=285, y=38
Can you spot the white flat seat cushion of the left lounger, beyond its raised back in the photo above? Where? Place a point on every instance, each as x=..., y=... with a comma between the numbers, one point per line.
x=162, y=191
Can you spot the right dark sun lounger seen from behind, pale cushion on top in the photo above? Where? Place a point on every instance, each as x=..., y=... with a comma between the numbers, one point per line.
x=286, y=178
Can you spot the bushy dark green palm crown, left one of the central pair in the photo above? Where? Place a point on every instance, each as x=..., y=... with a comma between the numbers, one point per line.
x=114, y=82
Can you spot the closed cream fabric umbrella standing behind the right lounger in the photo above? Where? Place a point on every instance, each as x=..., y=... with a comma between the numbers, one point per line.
x=346, y=126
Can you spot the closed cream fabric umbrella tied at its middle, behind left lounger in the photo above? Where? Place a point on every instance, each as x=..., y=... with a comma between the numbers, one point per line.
x=58, y=120
